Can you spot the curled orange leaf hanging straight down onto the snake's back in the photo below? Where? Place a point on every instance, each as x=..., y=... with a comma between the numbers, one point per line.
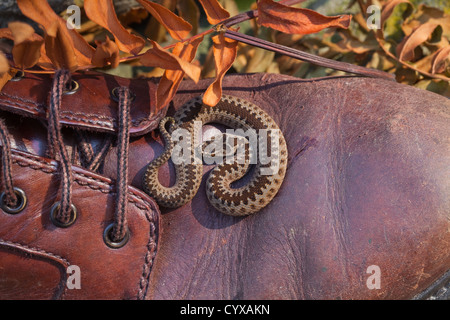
x=225, y=52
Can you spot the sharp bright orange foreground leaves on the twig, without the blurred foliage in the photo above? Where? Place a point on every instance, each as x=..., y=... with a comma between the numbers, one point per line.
x=64, y=48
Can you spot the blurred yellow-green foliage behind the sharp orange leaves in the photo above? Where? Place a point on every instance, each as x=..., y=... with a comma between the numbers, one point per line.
x=413, y=42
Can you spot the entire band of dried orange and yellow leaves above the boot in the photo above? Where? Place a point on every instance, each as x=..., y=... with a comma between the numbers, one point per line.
x=170, y=41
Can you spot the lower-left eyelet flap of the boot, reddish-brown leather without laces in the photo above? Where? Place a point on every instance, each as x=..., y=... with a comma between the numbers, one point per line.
x=35, y=254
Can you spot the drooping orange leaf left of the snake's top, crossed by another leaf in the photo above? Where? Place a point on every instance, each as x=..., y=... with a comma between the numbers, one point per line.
x=170, y=81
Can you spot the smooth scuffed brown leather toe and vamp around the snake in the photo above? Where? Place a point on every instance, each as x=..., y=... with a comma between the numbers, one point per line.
x=367, y=184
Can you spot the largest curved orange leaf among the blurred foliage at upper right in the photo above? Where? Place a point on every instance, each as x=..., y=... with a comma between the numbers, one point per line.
x=405, y=49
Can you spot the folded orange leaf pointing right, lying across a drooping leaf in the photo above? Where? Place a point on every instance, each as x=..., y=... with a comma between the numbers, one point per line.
x=158, y=57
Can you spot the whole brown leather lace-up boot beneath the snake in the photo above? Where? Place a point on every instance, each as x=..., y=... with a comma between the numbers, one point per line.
x=363, y=212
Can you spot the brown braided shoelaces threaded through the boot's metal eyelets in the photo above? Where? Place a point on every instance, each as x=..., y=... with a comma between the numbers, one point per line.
x=63, y=212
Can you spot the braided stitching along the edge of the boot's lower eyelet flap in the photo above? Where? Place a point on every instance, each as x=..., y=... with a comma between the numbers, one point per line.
x=148, y=208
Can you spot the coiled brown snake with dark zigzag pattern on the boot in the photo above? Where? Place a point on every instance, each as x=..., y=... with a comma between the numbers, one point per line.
x=236, y=201
